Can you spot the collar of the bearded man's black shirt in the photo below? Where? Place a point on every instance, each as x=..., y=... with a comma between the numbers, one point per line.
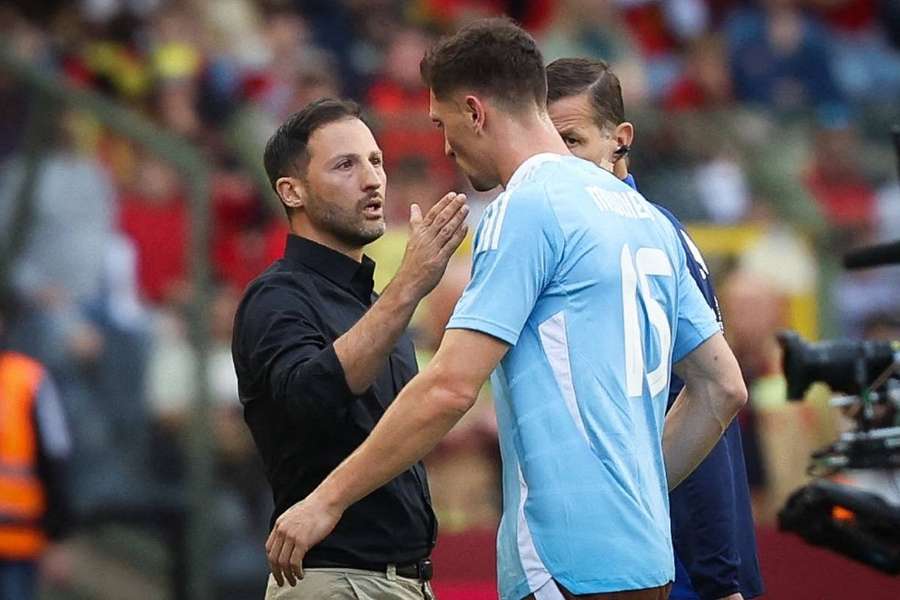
x=338, y=267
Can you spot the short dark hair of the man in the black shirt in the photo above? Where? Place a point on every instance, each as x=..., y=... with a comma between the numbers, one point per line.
x=287, y=150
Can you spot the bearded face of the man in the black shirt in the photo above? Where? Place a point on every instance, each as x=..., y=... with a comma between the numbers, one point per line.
x=343, y=190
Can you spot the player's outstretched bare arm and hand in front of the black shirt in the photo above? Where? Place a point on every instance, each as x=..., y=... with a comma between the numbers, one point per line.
x=426, y=409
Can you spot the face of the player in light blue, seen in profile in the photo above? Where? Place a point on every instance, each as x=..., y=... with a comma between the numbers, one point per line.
x=464, y=141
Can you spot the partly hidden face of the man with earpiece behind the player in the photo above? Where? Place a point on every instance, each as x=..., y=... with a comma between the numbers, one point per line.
x=575, y=122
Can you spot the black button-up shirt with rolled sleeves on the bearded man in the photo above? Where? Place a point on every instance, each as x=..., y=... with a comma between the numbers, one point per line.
x=303, y=416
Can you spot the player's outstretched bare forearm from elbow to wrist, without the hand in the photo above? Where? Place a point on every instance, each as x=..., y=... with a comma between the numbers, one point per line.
x=421, y=415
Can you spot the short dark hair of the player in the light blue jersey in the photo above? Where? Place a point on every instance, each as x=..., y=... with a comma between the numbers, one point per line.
x=494, y=56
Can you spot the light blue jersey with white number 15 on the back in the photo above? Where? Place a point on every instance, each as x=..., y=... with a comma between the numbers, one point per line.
x=588, y=283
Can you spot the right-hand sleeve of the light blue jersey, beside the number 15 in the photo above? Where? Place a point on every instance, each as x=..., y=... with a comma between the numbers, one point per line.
x=695, y=322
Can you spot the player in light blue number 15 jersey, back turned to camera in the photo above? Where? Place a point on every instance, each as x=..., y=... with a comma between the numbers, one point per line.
x=580, y=301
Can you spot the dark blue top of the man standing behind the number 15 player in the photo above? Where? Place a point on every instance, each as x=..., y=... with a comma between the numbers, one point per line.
x=712, y=522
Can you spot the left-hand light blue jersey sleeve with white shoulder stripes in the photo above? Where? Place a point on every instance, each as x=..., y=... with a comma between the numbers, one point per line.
x=517, y=248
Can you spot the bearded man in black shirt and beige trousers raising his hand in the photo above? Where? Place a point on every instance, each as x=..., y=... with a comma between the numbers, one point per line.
x=319, y=357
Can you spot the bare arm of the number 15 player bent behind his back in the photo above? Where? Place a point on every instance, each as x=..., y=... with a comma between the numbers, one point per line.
x=713, y=393
